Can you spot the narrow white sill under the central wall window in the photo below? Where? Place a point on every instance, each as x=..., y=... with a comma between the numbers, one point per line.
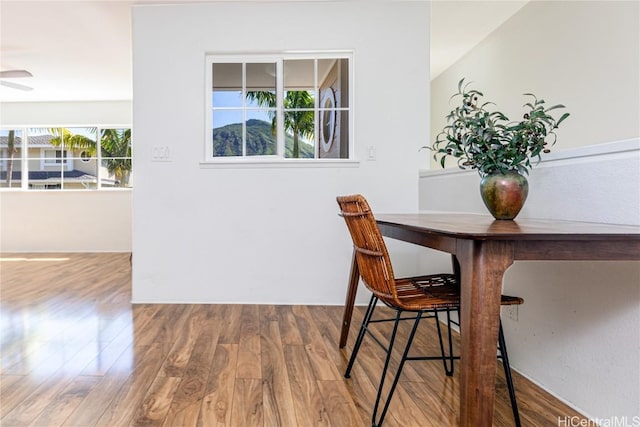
x=279, y=163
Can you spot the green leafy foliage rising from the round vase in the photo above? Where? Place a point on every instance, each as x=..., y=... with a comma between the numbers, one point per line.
x=488, y=141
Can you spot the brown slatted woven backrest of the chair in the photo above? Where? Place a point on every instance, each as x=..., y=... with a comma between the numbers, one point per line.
x=373, y=259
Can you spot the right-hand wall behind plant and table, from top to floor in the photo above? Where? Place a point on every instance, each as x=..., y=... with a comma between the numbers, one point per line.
x=577, y=333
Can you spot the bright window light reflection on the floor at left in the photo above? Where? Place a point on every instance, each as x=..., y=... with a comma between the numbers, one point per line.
x=41, y=341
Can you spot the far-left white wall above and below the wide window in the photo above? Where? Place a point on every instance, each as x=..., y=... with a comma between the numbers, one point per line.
x=69, y=220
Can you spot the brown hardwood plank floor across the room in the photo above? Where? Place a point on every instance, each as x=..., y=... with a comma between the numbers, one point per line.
x=75, y=352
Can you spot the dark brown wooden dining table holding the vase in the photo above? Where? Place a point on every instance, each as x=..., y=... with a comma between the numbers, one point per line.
x=484, y=249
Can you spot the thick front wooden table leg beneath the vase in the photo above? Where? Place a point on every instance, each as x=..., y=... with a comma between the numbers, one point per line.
x=482, y=265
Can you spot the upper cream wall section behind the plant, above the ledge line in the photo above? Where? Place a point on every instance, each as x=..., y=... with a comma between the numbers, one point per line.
x=583, y=54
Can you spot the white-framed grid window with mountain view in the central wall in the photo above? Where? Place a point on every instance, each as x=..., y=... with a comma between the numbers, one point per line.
x=294, y=106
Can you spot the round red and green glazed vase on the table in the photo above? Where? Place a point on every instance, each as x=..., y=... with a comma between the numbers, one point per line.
x=504, y=194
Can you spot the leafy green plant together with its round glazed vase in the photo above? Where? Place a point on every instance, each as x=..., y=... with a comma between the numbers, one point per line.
x=499, y=149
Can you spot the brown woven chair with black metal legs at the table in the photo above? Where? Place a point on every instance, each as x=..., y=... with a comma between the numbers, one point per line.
x=423, y=297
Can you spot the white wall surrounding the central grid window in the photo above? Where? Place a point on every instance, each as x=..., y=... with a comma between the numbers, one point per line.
x=268, y=235
